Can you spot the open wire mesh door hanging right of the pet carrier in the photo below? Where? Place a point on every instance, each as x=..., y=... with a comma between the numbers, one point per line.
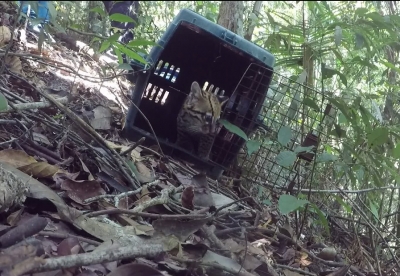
x=291, y=124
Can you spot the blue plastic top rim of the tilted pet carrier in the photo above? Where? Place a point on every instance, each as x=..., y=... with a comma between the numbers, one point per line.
x=203, y=23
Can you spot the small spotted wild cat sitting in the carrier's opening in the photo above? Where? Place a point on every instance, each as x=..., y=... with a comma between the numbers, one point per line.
x=197, y=120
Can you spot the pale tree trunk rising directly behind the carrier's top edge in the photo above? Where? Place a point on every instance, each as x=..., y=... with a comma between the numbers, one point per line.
x=231, y=16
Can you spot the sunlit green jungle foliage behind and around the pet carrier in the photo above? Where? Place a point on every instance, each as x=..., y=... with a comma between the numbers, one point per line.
x=348, y=52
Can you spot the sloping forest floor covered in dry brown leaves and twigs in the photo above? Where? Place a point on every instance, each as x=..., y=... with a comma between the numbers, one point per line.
x=70, y=206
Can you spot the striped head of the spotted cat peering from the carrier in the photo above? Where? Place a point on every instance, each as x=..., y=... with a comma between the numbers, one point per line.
x=205, y=107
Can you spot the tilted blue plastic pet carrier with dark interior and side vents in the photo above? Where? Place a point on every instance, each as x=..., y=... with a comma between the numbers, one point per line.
x=195, y=49
